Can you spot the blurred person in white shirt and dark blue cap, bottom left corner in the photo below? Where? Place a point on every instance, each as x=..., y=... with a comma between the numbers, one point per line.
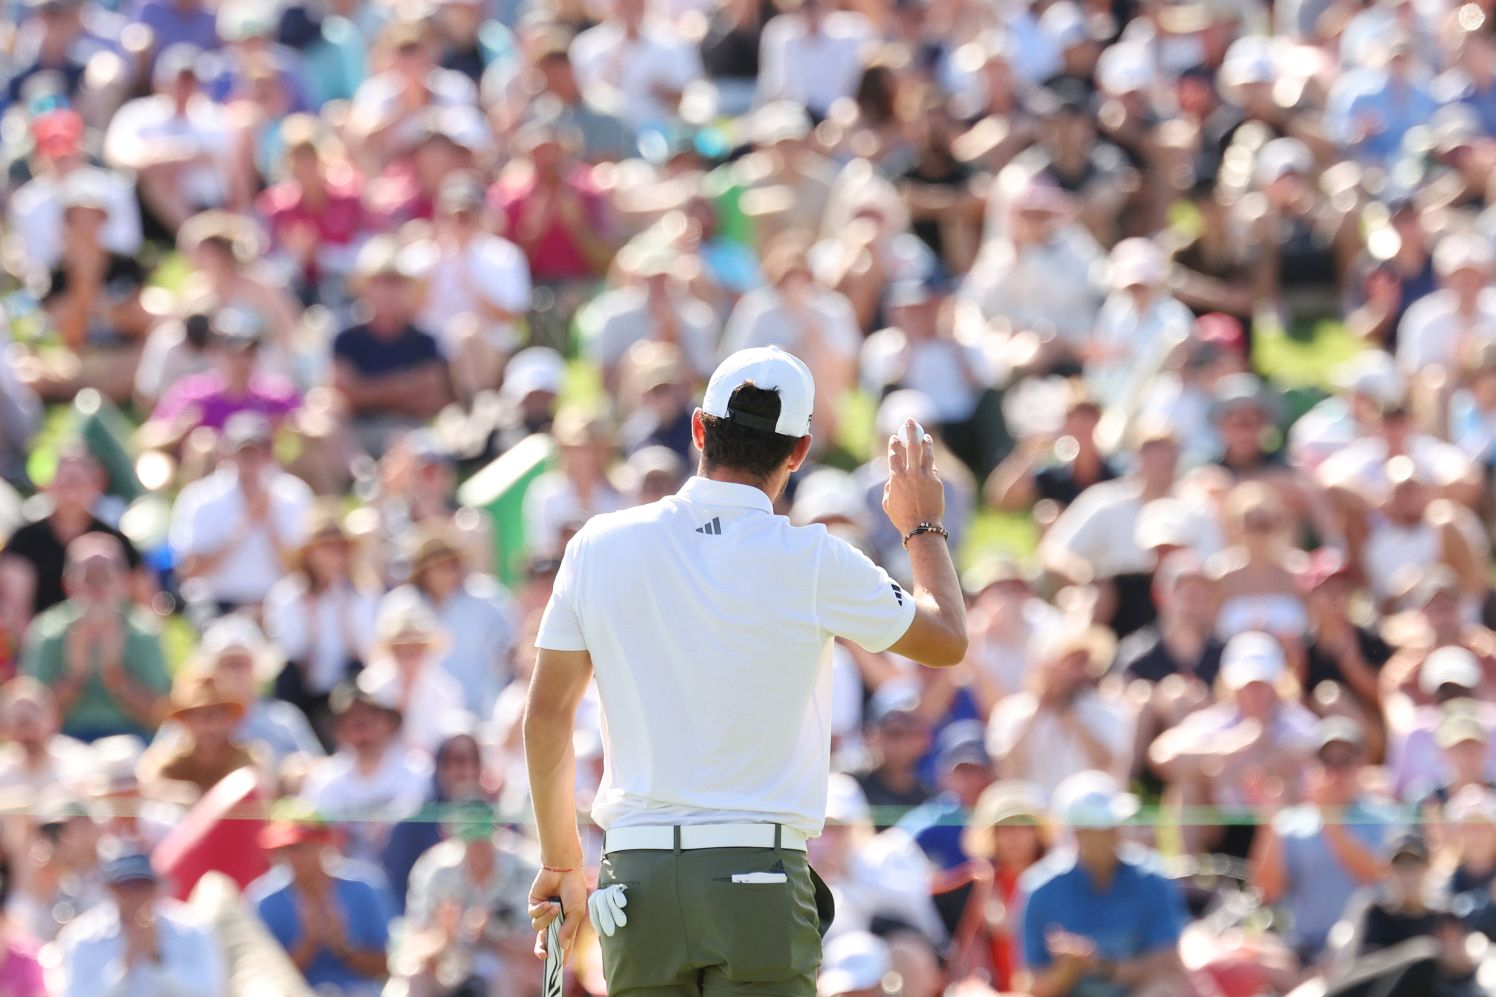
x=140, y=942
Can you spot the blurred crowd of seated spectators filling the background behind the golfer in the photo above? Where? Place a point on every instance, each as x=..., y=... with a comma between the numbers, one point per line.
x=328, y=323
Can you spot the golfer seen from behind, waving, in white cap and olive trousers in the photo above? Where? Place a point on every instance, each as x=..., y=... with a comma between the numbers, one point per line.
x=708, y=621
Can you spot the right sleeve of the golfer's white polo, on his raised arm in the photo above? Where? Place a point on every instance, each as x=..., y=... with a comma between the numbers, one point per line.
x=858, y=600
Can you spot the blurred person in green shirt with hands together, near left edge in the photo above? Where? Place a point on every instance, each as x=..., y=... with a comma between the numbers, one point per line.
x=96, y=652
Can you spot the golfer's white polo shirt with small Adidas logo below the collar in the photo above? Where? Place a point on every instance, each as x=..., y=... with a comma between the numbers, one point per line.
x=708, y=621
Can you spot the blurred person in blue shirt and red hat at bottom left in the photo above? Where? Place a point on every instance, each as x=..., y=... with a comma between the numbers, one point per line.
x=330, y=917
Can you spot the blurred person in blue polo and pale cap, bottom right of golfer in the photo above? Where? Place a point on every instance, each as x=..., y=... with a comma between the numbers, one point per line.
x=1099, y=918
